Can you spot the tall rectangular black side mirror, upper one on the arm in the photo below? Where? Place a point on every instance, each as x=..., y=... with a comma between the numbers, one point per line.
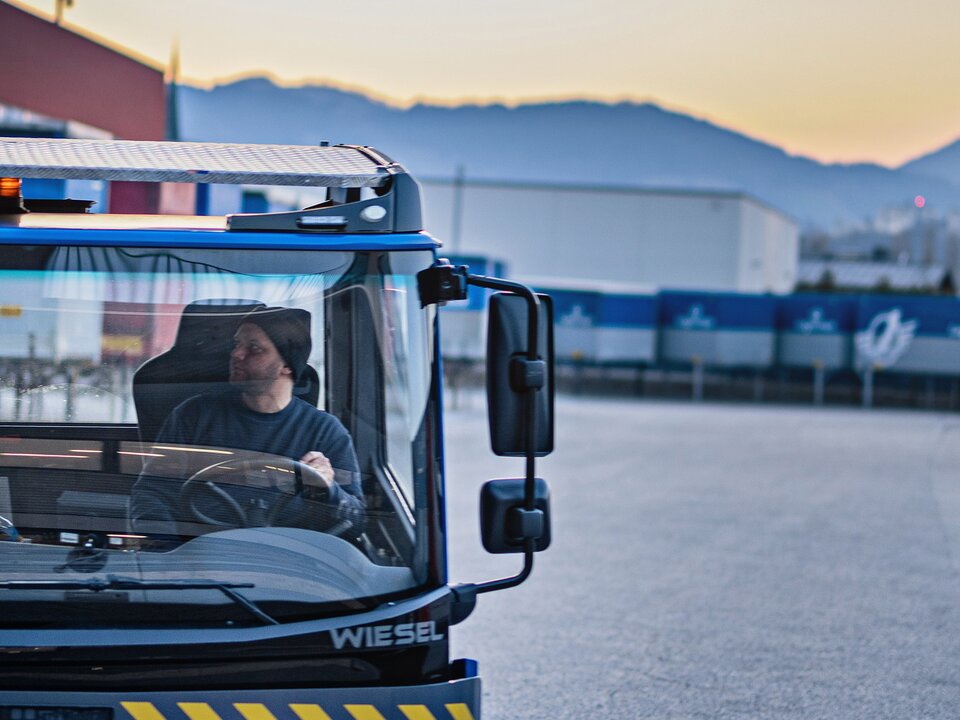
x=507, y=337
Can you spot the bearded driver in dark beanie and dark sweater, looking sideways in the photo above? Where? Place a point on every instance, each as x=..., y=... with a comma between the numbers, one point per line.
x=260, y=413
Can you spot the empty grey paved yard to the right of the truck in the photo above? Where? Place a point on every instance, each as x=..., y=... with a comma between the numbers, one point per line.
x=721, y=561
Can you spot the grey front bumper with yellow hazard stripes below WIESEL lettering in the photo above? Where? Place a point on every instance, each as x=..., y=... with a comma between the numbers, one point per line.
x=453, y=700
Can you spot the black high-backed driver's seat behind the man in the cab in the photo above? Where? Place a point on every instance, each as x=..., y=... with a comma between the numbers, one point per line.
x=198, y=362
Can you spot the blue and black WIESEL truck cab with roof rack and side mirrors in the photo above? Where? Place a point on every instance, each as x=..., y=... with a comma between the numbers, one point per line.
x=254, y=595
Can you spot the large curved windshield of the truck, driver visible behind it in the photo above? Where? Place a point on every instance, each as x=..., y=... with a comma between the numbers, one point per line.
x=176, y=421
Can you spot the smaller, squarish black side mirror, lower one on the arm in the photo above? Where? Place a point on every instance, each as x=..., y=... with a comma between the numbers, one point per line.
x=504, y=524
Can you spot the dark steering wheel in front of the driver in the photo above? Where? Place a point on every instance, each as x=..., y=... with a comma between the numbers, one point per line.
x=202, y=489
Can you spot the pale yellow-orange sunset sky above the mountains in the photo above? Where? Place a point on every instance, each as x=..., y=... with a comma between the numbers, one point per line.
x=837, y=80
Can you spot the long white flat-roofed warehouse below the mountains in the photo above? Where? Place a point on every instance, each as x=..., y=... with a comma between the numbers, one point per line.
x=672, y=239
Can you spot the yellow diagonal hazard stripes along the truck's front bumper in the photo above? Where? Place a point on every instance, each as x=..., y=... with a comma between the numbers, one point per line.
x=259, y=711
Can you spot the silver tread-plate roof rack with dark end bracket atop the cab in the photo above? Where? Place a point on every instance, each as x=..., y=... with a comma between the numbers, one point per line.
x=345, y=169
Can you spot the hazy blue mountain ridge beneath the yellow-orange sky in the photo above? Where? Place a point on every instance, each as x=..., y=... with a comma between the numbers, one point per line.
x=568, y=142
